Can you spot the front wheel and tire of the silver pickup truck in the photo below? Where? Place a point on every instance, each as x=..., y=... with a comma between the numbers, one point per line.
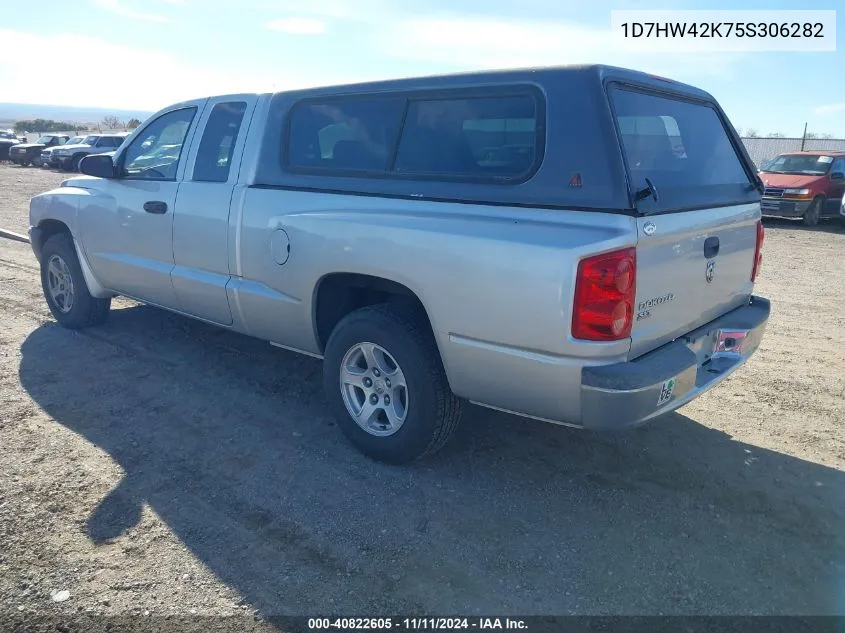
x=81, y=310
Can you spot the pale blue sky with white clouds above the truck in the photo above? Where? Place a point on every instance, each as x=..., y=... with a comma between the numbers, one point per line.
x=147, y=54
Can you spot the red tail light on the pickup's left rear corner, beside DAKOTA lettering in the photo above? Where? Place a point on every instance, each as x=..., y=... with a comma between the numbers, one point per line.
x=604, y=296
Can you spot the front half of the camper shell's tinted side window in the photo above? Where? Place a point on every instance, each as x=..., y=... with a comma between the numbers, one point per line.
x=355, y=134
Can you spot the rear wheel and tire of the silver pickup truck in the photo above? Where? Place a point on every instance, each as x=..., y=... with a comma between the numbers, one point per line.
x=403, y=340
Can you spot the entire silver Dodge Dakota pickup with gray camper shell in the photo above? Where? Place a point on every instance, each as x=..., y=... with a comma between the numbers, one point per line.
x=577, y=245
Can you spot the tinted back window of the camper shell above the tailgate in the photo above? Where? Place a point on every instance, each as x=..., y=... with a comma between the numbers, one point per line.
x=683, y=149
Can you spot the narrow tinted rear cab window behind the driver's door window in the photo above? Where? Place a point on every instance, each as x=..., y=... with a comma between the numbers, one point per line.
x=214, y=156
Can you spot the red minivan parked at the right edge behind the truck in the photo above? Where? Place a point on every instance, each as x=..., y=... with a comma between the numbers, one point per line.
x=807, y=185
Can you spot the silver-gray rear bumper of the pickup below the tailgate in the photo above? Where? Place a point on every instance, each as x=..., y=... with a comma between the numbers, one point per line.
x=627, y=394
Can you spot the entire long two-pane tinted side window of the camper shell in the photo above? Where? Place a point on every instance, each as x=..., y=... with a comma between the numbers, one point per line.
x=481, y=138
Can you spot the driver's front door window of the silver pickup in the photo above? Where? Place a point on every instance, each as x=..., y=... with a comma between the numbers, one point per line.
x=155, y=153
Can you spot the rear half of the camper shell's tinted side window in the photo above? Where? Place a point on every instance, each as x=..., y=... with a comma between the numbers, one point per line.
x=490, y=137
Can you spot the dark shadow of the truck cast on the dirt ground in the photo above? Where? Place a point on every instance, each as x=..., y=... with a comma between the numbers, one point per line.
x=230, y=443
